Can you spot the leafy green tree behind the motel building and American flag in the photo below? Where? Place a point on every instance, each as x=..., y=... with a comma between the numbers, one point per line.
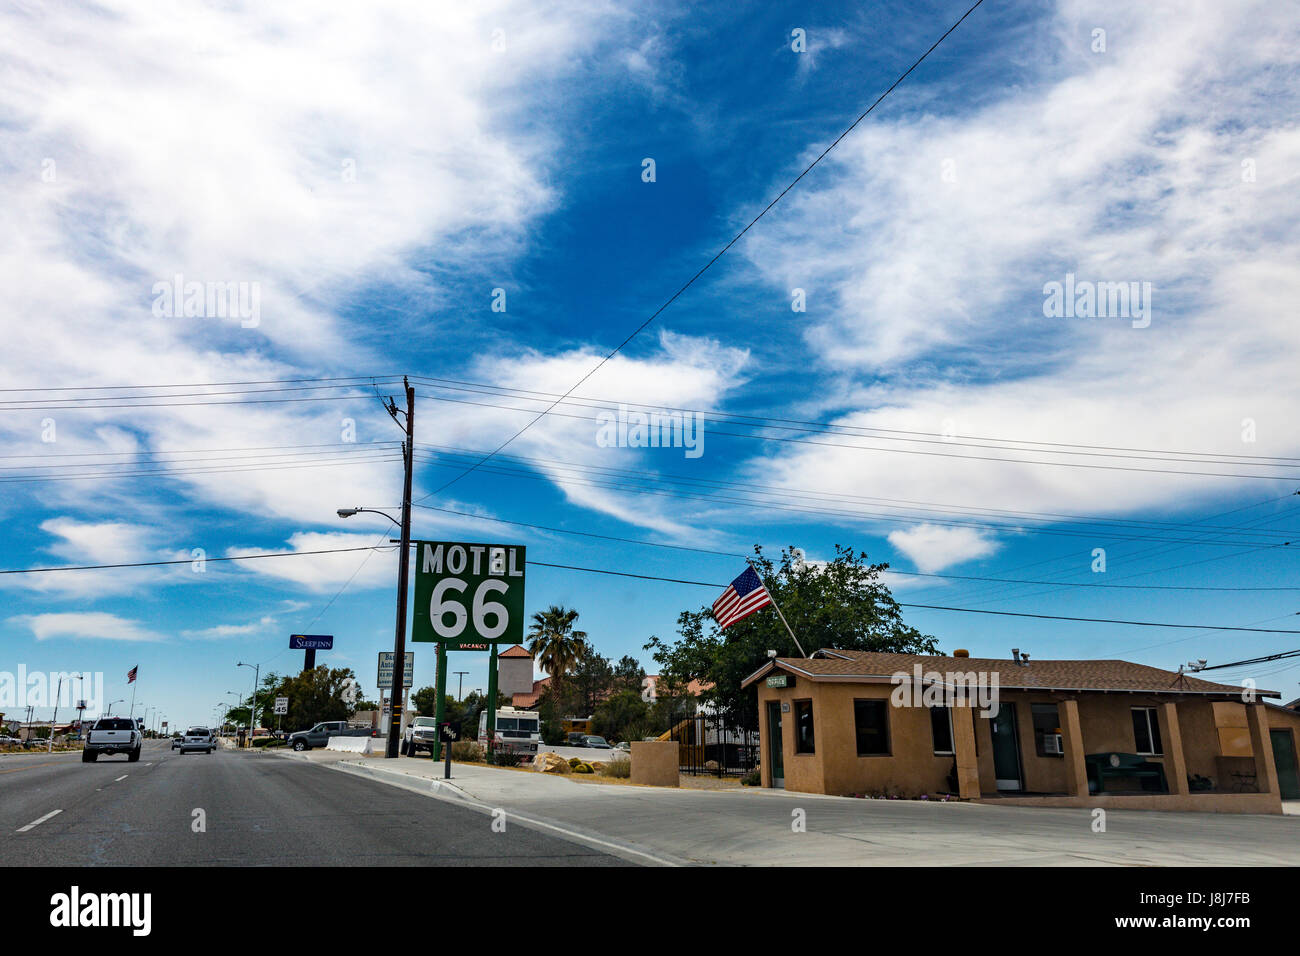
x=840, y=604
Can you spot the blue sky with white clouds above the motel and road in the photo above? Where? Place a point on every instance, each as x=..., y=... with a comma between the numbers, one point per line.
x=379, y=172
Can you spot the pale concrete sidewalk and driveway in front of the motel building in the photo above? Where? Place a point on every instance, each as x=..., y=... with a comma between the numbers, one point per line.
x=753, y=828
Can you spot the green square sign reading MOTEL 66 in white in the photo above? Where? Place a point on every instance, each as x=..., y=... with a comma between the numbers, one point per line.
x=469, y=596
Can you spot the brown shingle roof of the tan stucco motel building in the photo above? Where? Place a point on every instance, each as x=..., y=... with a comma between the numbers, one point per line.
x=1060, y=676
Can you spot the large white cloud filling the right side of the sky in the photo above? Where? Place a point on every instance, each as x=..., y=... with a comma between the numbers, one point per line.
x=1125, y=166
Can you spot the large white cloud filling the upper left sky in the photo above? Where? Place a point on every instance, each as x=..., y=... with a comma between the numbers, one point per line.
x=315, y=150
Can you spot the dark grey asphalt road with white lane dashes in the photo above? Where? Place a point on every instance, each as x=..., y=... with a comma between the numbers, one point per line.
x=258, y=811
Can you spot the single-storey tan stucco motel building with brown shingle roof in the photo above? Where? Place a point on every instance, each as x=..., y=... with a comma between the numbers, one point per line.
x=1048, y=733
